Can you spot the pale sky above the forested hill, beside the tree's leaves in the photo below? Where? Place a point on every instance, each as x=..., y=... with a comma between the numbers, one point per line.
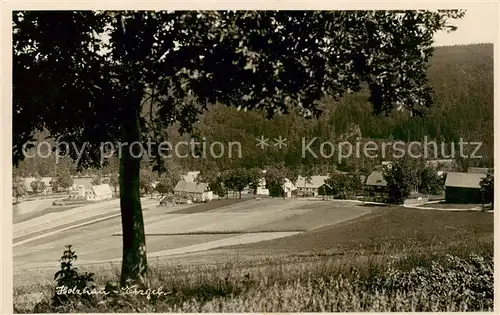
x=478, y=26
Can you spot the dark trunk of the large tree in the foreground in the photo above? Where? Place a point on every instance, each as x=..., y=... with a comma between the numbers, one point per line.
x=134, y=262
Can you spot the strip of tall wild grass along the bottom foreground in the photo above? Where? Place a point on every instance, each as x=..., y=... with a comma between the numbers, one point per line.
x=344, y=283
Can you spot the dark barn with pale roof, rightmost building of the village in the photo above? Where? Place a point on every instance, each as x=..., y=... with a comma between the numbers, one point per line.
x=463, y=187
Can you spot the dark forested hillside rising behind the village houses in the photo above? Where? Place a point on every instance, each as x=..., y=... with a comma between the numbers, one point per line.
x=462, y=78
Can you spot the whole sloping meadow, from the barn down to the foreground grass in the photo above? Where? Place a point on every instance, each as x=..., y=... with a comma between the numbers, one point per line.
x=393, y=259
